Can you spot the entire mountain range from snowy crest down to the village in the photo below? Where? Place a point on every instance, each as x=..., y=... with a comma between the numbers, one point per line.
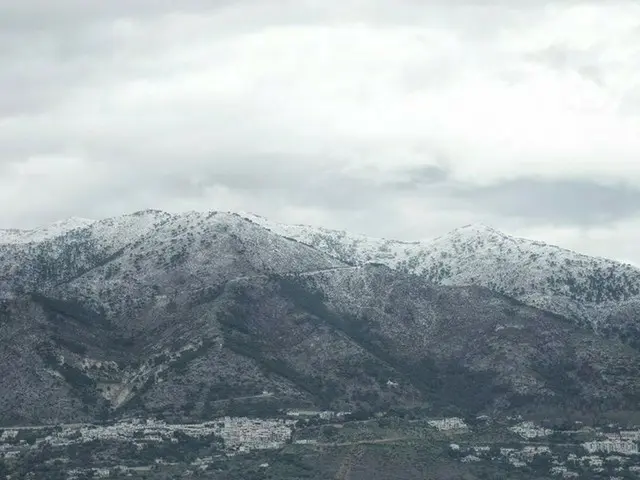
x=193, y=316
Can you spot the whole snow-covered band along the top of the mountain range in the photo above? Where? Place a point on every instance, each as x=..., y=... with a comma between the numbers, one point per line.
x=591, y=290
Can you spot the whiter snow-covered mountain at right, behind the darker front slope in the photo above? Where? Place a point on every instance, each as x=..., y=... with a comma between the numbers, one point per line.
x=594, y=292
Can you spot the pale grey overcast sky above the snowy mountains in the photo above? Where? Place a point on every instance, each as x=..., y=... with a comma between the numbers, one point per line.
x=397, y=118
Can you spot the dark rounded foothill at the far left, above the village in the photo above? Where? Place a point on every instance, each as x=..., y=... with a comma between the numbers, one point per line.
x=46, y=347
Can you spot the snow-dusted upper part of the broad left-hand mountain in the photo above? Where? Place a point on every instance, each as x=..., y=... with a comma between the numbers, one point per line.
x=147, y=252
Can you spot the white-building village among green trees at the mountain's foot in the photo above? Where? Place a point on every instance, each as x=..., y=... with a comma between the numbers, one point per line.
x=564, y=454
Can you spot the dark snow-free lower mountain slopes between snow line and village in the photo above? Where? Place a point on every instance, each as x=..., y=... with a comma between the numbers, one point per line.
x=364, y=339
